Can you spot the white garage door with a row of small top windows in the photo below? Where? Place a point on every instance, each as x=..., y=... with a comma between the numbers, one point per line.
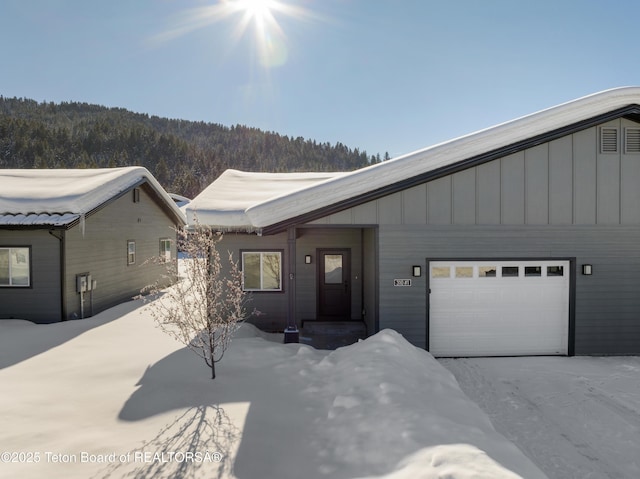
x=498, y=308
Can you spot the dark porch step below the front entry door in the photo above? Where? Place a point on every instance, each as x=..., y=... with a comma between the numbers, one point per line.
x=332, y=334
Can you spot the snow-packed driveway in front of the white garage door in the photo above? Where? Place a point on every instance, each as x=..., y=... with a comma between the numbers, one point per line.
x=575, y=417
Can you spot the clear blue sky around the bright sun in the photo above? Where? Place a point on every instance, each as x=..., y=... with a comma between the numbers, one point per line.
x=379, y=75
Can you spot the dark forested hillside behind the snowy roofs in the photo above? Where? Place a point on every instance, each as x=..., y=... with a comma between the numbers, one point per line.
x=185, y=156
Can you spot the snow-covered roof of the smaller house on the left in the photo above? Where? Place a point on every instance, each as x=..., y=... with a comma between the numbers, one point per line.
x=58, y=197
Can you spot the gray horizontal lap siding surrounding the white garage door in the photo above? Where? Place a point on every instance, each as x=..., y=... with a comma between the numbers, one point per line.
x=607, y=314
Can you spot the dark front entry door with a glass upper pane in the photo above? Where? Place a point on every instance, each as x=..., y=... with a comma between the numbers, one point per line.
x=334, y=286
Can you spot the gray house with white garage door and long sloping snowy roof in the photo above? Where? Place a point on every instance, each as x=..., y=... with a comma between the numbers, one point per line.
x=520, y=239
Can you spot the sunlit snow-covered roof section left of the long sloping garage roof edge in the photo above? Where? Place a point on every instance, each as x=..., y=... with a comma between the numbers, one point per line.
x=225, y=202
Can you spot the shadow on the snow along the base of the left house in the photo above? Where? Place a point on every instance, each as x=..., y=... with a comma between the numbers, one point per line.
x=22, y=340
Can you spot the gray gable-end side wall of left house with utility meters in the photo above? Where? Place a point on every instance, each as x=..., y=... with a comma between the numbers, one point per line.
x=100, y=248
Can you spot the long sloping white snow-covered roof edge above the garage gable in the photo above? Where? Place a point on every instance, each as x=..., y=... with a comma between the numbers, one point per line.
x=368, y=179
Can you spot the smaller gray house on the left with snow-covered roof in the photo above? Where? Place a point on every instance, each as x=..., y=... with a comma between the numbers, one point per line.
x=74, y=242
